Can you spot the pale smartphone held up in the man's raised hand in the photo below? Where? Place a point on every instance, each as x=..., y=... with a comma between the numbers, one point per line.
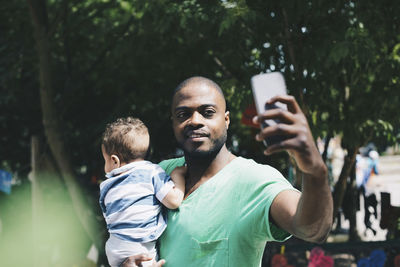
x=265, y=86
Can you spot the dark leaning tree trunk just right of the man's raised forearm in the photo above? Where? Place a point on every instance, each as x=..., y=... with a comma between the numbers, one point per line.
x=341, y=184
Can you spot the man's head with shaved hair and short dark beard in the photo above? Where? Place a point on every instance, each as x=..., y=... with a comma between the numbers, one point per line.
x=200, y=121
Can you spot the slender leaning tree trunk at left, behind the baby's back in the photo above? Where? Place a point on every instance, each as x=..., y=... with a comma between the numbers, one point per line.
x=51, y=124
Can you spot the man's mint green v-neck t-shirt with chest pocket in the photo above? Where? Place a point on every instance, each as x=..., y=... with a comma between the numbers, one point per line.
x=225, y=221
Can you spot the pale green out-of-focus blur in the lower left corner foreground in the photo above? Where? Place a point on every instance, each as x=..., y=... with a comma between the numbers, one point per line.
x=46, y=233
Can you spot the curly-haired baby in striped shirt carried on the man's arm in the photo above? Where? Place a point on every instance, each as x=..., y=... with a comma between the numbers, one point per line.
x=132, y=194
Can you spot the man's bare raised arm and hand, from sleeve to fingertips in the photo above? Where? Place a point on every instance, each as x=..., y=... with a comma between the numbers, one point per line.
x=307, y=215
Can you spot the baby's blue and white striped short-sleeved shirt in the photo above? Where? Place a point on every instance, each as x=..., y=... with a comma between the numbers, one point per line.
x=130, y=200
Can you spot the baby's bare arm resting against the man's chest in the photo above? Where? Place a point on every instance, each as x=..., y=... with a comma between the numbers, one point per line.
x=175, y=196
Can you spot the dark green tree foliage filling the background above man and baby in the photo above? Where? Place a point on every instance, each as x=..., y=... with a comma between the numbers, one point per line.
x=119, y=58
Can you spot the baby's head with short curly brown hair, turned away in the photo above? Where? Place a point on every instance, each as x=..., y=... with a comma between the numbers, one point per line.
x=124, y=141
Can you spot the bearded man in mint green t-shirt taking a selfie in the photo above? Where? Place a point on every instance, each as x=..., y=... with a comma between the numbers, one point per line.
x=232, y=205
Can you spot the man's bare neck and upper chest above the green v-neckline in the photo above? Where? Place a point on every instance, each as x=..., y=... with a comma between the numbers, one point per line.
x=199, y=170
